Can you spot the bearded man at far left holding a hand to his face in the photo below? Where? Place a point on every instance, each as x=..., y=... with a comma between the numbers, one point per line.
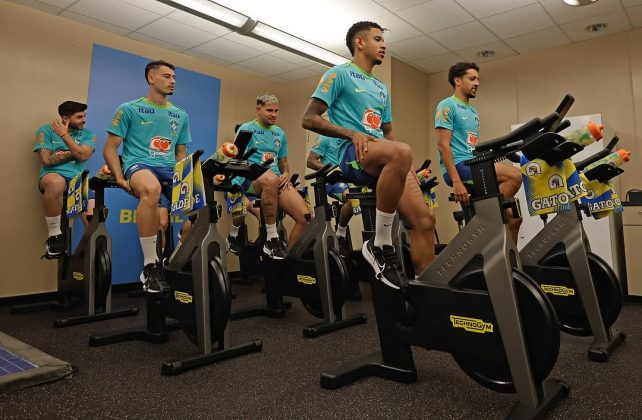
x=63, y=148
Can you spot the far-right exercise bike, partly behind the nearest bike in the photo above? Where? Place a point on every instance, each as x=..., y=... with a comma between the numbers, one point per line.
x=559, y=259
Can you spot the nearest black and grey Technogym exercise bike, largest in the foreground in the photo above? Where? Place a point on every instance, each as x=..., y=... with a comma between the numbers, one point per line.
x=472, y=302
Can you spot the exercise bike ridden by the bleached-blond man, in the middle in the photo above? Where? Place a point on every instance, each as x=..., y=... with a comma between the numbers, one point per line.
x=314, y=272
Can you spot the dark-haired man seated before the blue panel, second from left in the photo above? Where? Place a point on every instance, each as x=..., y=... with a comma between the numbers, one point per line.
x=154, y=133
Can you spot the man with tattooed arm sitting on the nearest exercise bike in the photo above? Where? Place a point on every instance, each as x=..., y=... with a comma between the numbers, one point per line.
x=369, y=153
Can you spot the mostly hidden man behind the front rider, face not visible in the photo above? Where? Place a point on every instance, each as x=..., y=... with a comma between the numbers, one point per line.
x=323, y=153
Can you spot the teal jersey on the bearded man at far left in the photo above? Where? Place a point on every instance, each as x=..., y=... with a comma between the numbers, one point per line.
x=46, y=138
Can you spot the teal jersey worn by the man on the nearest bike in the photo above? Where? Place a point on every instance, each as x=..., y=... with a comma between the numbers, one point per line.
x=356, y=100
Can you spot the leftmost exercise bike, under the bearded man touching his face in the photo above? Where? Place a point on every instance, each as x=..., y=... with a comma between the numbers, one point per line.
x=84, y=273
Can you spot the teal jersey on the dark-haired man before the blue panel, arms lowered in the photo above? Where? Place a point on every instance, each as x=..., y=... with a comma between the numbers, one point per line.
x=150, y=132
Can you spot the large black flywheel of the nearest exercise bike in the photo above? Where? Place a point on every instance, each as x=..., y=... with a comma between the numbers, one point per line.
x=482, y=355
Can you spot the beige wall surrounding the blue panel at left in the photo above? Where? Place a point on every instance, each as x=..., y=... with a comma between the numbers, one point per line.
x=47, y=59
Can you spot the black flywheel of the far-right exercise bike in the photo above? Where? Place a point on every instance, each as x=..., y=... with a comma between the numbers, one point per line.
x=572, y=317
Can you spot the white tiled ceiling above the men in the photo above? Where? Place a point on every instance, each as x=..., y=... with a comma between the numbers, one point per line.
x=430, y=35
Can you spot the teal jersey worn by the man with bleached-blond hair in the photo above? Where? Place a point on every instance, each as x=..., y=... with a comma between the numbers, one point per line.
x=270, y=142
